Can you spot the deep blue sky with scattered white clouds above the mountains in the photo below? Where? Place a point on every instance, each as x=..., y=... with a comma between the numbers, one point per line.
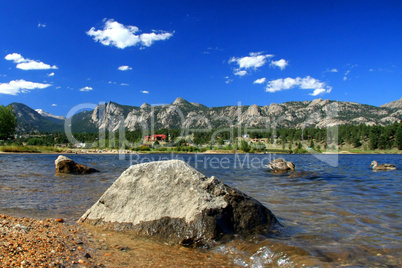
x=58, y=54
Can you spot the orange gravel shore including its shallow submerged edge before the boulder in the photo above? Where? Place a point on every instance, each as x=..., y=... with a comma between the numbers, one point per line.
x=30, y=242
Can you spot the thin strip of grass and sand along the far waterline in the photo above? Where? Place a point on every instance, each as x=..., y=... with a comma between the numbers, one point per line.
x=23, y=149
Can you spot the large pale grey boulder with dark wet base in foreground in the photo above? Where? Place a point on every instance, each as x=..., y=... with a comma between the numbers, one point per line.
x=173, y=201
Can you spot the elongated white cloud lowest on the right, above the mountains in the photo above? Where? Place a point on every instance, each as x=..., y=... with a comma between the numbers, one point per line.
x=303, y=83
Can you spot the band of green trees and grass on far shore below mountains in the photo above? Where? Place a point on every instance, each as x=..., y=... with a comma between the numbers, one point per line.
x=359, y=139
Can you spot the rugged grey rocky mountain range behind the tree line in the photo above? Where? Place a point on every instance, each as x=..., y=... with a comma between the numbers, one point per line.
x=184, y=114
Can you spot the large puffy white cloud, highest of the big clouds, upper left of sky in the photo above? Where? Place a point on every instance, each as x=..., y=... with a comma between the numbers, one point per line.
x=121, y=36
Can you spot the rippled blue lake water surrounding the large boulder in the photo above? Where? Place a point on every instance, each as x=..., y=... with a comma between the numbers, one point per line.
x=335, y=211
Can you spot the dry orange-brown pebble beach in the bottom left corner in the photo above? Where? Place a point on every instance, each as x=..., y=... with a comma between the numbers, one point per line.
x=27, y=242
